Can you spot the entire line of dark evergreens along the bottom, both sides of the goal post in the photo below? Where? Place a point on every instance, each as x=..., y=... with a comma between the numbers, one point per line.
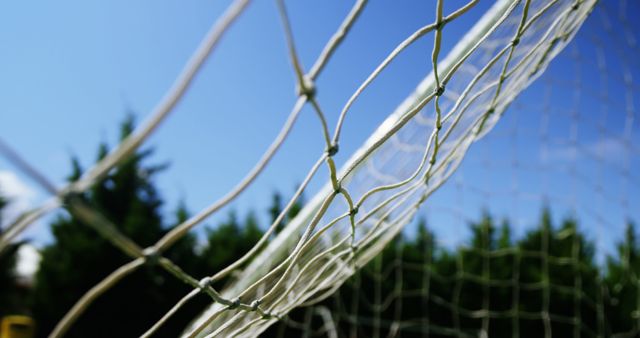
x=546, y=281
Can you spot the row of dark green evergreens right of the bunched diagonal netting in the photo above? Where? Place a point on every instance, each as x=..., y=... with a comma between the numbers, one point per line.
x=441, y=292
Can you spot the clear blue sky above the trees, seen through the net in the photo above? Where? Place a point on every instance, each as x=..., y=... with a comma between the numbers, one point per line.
x=72, y=69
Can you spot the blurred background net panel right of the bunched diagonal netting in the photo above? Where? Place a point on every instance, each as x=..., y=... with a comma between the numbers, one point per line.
x=569, y=143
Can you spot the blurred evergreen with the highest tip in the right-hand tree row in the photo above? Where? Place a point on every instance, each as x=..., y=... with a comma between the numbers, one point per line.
x=558, y=263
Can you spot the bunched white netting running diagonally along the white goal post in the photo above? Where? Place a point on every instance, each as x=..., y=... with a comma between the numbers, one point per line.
x=410, y=156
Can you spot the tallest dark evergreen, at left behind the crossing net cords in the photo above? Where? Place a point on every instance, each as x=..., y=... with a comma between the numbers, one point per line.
x=79, y=258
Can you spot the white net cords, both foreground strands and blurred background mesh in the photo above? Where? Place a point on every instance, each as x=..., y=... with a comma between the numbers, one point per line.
x=381, y=187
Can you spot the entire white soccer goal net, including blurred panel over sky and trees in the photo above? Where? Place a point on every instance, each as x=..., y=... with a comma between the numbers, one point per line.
x=515, y=115
